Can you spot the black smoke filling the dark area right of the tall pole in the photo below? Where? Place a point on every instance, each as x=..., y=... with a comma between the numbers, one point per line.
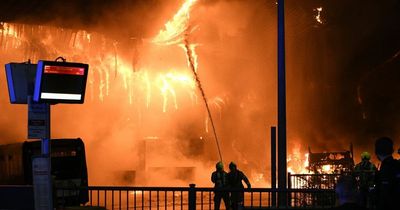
x=344, y=70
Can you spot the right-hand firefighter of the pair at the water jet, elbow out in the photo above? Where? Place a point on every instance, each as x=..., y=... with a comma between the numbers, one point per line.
x=235, y=178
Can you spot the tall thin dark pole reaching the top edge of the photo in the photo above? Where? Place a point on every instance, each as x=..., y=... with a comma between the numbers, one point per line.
x=281, y=104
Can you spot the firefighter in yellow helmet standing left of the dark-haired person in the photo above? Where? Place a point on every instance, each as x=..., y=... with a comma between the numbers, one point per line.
x=365, y=174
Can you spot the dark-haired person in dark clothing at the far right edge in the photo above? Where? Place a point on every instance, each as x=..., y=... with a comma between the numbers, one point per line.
x=388, y=176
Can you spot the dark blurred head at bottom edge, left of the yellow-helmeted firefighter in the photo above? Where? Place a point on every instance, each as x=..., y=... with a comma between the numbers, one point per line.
x=347, y=194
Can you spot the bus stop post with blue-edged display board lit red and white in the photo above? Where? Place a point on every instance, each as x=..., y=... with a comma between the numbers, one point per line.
x=48, y=82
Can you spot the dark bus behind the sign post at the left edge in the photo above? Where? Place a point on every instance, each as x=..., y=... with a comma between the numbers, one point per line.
x=68, y=167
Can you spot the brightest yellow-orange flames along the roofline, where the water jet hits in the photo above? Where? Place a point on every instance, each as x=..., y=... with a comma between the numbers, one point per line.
x=100, y=52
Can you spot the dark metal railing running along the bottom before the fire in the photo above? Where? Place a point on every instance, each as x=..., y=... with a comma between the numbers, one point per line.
x=194, y=198
